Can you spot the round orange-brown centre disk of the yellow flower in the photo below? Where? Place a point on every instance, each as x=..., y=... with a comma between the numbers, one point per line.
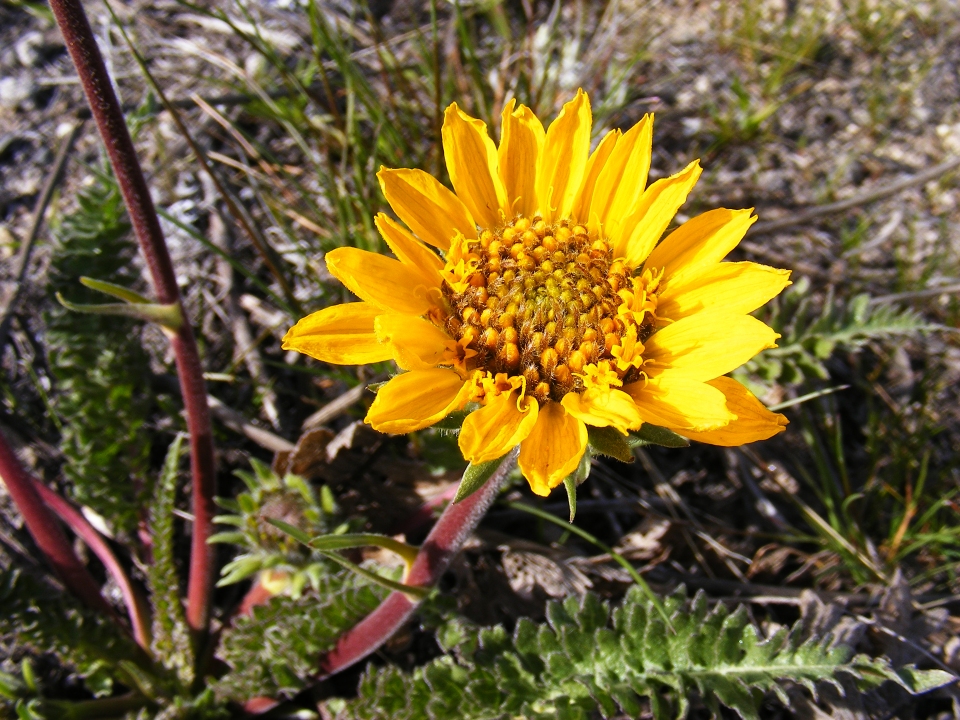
x=548, y=303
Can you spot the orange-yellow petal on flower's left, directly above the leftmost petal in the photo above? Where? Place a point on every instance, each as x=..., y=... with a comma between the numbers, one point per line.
x=380, y=280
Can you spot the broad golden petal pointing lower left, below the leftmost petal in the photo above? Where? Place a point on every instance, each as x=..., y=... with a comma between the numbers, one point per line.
x=417, y=399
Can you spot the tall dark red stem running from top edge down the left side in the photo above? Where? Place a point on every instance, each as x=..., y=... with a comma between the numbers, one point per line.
x=105, y=108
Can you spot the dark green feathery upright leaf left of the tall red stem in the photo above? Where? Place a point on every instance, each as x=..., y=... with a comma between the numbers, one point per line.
x=98, y=362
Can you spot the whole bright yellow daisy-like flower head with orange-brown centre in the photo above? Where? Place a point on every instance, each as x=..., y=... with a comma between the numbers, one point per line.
x=551, y=304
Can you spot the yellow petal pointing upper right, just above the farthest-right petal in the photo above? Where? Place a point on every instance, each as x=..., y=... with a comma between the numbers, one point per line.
x=700, y=243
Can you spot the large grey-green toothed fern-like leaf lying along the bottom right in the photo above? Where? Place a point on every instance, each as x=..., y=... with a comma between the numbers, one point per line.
x=586, y=659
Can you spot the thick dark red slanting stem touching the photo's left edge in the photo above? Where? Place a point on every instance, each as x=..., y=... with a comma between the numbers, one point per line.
x=45, y=529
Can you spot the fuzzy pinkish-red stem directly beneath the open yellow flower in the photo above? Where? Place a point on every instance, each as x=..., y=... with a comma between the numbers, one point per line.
x=453, y=528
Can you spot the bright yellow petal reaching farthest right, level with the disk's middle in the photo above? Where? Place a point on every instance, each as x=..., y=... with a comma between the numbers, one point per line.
x=737, y=287
